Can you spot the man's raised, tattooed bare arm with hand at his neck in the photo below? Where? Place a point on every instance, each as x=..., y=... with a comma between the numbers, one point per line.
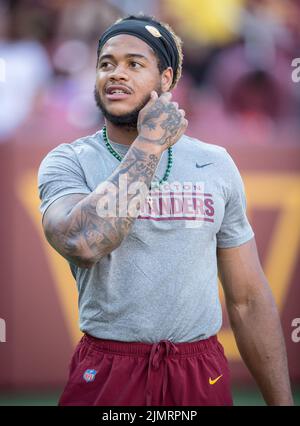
x=75, y=224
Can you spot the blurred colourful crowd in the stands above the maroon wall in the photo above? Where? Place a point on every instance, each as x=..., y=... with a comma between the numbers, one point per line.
x=237, y=84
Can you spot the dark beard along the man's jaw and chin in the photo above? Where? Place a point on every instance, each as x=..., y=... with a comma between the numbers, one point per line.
x=128, y=120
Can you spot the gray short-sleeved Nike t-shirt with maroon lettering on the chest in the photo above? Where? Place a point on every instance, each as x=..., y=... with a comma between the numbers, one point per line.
x=161, y=282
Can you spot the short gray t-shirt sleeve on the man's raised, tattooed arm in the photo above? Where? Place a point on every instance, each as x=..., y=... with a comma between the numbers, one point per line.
x=60, y=174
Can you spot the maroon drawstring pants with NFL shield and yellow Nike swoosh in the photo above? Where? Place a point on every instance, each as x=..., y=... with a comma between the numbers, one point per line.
x=108, y=372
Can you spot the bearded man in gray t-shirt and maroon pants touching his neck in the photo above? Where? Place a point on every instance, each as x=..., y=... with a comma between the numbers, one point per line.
x=146, y=217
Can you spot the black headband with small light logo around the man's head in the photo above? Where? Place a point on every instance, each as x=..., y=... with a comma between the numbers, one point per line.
x=155, y=35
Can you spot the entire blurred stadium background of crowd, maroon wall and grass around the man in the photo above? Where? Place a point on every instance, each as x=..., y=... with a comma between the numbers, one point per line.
x=239, y=90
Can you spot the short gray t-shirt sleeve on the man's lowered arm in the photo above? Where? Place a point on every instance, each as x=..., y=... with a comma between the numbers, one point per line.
x=235, y=228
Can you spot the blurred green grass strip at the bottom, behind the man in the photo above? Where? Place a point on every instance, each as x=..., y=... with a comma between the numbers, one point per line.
x=244, y=397
